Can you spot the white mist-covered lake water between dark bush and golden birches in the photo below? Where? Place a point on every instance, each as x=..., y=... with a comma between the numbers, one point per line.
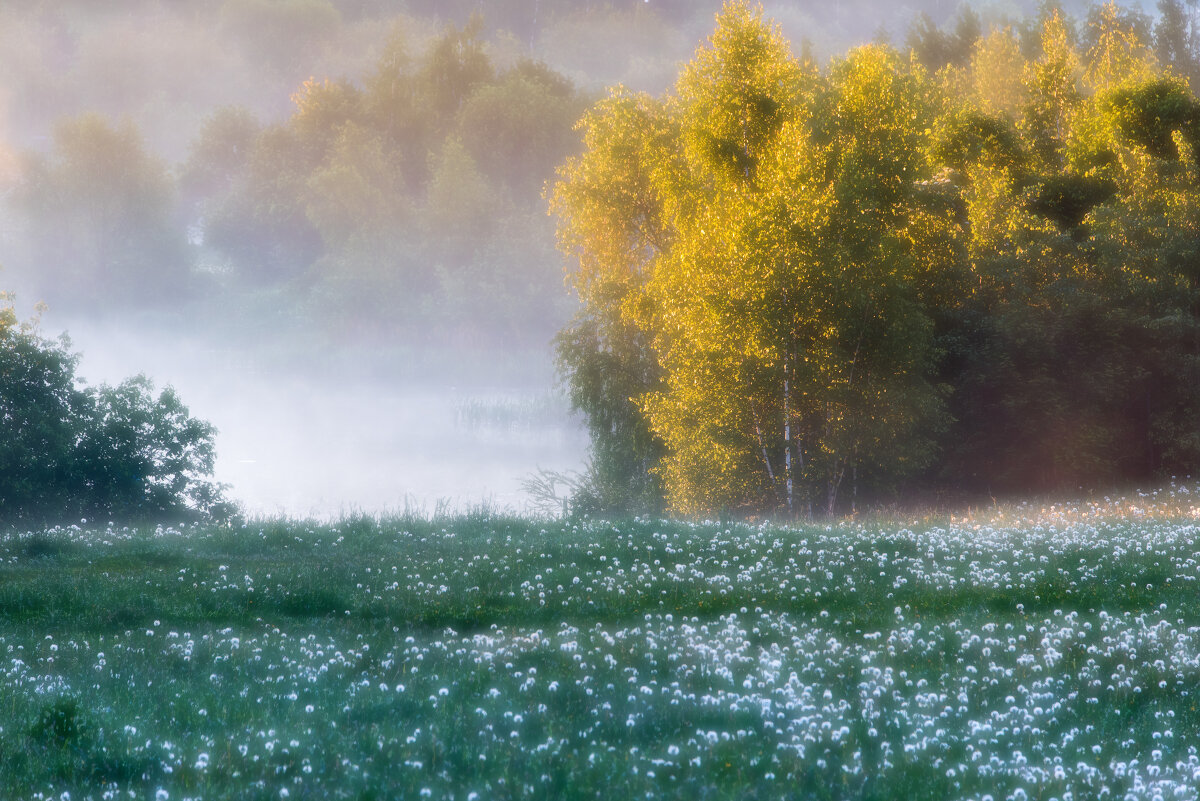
x=302, y=444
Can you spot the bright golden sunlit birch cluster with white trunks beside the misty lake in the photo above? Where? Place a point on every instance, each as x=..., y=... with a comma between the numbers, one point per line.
x=781, y=299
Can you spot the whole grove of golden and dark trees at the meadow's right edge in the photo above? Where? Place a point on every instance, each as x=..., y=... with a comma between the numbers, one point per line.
x=967, y=268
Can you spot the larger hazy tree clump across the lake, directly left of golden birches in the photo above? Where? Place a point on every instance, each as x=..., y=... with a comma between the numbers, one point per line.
x=407, y=207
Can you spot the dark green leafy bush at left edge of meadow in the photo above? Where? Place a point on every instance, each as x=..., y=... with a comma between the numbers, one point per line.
x=116, y=453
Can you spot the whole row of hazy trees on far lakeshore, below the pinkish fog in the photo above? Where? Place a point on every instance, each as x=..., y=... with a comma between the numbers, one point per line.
x=404, y=206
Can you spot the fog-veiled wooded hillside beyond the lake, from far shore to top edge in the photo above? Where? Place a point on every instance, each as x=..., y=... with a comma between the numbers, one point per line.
x=349, y=173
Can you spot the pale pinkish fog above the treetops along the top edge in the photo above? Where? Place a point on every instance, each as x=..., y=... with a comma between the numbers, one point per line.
x=169, y=65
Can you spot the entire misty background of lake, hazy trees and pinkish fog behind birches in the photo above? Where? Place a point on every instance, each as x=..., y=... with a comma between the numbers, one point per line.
x=325, y=222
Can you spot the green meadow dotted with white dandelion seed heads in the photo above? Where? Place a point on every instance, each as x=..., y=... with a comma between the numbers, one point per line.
x=1021, y=653
